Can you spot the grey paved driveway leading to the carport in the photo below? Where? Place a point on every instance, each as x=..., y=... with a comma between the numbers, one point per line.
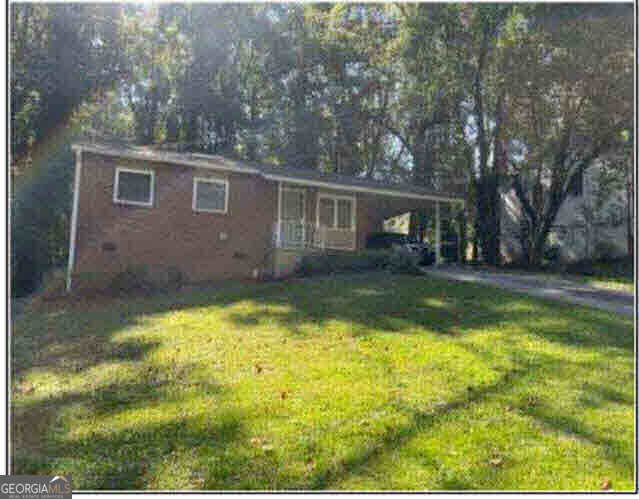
x=558, y=289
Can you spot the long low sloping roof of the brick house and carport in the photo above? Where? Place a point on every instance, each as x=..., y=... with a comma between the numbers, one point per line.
x=287, y=174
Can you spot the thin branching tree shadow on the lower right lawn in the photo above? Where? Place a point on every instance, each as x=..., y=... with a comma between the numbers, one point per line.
x=509, y=384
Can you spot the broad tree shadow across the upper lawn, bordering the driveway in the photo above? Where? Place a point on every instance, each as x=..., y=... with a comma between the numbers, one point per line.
x=451, y=310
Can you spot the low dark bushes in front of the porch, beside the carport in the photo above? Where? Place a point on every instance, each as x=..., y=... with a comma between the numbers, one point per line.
x=327, y=263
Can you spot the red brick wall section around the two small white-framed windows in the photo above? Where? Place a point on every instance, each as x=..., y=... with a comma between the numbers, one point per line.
x=170, y=233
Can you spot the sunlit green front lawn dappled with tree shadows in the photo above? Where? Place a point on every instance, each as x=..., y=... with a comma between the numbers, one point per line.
x=374, y=382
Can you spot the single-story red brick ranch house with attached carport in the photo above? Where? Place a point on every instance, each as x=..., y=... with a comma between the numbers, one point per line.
x=213, y=218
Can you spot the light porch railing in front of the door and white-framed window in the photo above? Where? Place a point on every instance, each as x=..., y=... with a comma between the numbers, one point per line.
x=289, y=234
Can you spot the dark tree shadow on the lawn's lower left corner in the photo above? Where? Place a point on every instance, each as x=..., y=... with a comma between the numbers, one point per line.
x=107, y=458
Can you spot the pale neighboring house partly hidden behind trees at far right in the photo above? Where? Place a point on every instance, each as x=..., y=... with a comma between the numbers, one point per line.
x=580, y=230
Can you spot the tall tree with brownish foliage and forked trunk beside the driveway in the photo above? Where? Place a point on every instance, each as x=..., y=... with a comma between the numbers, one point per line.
x=570, y=104
